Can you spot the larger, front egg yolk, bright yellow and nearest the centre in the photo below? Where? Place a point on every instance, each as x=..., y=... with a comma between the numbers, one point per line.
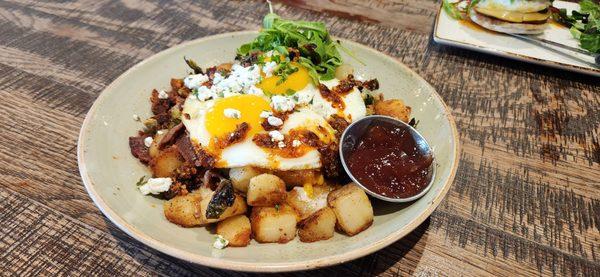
x=250, y=106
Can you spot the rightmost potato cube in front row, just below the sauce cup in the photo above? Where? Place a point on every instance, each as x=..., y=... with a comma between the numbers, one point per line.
x=352, y=208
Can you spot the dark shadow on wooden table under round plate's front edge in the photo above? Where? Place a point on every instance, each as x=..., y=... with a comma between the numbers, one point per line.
x=392, y=256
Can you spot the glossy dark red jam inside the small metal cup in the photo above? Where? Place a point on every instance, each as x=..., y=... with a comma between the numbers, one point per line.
x=387, y=160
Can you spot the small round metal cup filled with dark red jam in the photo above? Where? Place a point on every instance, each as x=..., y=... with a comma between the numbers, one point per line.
x=388, y=158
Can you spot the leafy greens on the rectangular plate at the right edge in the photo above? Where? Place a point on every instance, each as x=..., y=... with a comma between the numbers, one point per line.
x=584, y=24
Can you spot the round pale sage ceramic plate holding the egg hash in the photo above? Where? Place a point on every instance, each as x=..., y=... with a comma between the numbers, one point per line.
x=109, y=172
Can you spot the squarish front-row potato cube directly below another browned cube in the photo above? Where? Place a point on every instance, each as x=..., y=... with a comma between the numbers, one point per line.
x=273, y=224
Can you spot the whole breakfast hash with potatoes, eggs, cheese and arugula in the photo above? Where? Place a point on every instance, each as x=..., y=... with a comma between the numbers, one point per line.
x=252, y=146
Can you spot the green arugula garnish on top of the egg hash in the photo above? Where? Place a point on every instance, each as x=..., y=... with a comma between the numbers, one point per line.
x=318, y=51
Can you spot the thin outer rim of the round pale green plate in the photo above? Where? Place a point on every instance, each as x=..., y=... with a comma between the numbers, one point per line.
x=247, y=266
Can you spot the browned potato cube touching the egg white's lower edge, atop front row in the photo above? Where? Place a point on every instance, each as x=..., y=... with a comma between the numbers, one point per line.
x=265, y=190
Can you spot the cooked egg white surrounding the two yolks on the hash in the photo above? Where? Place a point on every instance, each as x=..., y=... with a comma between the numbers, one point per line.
x=309, y=115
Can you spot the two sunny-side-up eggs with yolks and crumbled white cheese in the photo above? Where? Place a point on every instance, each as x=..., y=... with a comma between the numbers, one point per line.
x=243, y=100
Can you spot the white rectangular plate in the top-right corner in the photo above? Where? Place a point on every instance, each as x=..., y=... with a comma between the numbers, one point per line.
x=465, y=34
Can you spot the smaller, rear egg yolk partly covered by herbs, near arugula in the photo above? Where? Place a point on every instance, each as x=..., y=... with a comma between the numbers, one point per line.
x=294, y=82
